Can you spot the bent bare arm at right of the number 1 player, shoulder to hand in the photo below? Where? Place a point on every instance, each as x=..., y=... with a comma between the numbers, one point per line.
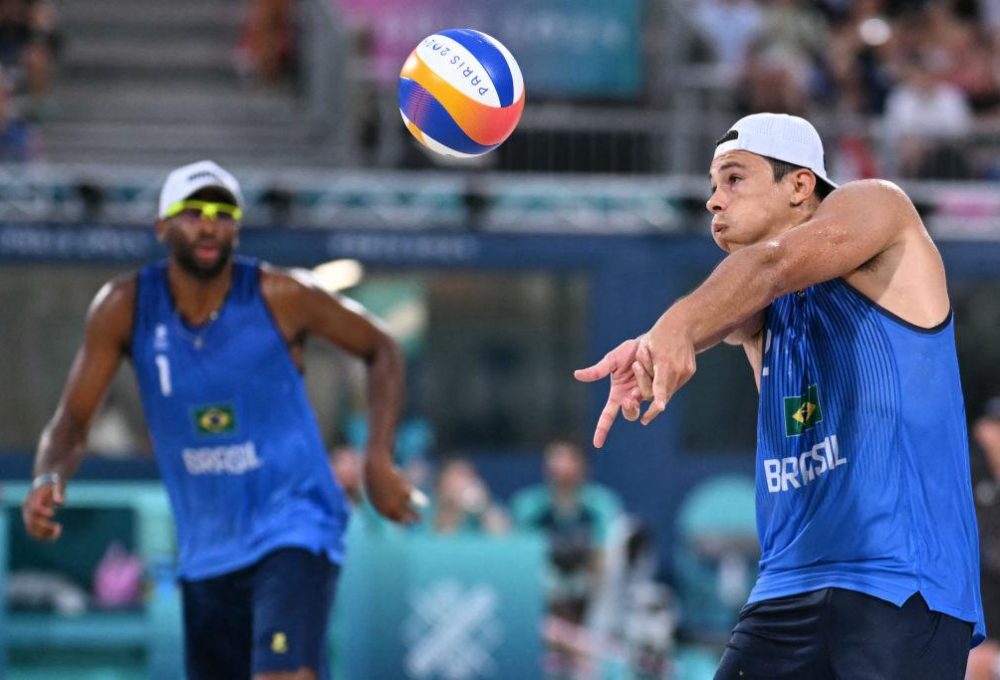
x=302, y=308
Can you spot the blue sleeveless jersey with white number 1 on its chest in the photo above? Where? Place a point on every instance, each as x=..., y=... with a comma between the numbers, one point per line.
x=235, y=437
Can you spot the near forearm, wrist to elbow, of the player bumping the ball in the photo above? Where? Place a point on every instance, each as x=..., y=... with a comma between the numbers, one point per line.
x=742, y=285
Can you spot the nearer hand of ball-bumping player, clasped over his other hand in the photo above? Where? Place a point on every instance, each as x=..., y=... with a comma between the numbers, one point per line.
x=664, y=362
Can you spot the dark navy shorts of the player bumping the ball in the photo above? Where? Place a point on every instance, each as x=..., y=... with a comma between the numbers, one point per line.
x=837, y=634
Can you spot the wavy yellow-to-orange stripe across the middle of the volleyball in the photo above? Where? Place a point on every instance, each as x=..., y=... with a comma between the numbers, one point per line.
x=486, y=125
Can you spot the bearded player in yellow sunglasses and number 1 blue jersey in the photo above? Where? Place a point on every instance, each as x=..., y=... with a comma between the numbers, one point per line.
x=216, y=342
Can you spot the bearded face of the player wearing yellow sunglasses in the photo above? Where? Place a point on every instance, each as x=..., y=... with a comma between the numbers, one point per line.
x=201, y=245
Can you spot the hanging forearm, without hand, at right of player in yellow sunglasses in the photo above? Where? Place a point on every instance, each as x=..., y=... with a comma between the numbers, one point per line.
x=386, y=389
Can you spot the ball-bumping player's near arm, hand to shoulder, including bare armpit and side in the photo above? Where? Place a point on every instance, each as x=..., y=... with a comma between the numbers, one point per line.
x=867, y=232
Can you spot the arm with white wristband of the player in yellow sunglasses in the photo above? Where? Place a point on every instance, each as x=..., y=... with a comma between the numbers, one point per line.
x=62, y=444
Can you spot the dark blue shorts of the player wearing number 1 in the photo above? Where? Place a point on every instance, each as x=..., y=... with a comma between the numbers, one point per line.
x=269, y=617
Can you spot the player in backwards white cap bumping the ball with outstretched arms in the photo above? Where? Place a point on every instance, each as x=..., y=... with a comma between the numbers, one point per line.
x=869, y=565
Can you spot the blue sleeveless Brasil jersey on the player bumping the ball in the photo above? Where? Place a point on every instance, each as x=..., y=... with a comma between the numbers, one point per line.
x=862, y=456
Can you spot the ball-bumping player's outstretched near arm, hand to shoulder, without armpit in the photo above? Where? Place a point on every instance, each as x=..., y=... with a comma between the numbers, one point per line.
x=852, y=226
